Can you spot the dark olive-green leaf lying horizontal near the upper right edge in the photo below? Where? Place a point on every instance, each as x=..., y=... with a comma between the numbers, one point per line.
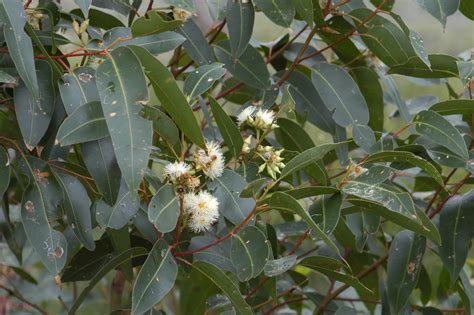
x=442, y=66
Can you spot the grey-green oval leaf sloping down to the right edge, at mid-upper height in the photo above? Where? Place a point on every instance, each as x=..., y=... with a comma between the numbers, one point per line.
x=440, y=131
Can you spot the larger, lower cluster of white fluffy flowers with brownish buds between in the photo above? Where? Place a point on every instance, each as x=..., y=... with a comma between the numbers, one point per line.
x=201, y=208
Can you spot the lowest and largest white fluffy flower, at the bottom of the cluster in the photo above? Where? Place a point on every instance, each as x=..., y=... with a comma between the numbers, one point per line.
x=202, y=209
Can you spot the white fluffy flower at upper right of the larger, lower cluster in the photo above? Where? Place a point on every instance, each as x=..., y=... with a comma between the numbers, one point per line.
x=211, y=160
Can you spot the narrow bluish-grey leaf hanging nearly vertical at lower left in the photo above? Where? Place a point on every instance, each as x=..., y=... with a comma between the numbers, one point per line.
x=76, y=204
